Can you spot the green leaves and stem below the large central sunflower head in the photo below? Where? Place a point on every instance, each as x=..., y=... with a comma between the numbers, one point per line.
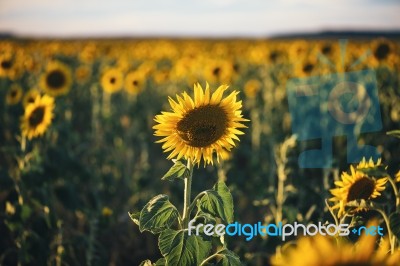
x=176, y=245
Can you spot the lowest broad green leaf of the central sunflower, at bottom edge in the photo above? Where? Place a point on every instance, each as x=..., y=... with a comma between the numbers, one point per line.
x=178, y=248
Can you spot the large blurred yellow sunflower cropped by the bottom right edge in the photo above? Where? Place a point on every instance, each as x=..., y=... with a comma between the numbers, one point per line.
x=322, y=250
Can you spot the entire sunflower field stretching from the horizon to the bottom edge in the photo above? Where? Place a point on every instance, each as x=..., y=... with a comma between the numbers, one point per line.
x=109, y=149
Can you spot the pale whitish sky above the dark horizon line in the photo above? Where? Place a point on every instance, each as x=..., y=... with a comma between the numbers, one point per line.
x=220, y=18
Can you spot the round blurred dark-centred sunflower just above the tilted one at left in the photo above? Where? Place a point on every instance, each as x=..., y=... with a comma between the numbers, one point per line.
x=57, y=79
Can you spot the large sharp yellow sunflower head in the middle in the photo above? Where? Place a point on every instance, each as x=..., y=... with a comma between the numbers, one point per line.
x=198, y=128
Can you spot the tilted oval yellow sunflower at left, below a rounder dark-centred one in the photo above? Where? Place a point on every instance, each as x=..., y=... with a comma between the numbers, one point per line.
x=37, y=116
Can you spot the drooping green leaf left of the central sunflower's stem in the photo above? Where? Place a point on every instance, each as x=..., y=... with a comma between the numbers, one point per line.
x=157, y=214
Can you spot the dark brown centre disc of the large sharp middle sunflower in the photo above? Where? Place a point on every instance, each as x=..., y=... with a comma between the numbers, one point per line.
x=203, y=125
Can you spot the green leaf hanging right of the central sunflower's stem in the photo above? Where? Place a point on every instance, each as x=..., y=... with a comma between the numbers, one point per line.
x=218, y=202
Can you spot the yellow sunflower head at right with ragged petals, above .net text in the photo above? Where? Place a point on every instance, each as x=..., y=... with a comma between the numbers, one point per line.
x=356, y=186
